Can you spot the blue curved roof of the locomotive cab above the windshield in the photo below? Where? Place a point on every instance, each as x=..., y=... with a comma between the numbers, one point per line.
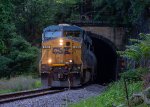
x=64, y=27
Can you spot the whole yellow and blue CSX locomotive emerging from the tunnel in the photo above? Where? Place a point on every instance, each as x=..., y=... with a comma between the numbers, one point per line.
x=67, y=58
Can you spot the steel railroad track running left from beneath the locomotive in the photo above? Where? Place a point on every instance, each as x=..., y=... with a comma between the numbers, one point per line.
x=5, y=98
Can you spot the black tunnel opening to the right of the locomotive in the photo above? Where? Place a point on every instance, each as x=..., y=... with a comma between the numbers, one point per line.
x=106, y=61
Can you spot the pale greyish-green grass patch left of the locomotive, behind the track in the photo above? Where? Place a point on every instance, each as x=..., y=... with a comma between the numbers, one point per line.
x=19, y=84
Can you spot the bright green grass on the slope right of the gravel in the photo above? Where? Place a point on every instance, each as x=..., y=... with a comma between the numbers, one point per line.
x=113, y=96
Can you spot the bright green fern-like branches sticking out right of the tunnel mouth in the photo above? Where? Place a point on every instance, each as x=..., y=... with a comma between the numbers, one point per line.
x=139, y=50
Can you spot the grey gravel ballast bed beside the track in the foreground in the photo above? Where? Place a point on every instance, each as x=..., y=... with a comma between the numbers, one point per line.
x=59, y=99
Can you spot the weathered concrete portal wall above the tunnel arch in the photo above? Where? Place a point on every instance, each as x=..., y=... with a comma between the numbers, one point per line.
x=115, y=35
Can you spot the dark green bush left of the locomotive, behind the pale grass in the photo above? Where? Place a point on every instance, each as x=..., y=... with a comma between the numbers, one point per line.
x=21, y=59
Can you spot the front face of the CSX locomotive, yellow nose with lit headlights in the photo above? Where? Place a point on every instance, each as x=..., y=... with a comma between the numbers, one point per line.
x=61, y=62
